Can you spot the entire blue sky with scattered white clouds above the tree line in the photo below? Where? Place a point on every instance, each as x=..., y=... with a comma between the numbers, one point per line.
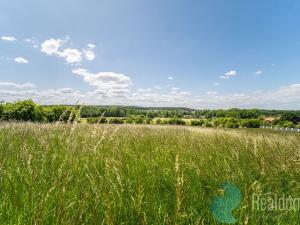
x=199, y=54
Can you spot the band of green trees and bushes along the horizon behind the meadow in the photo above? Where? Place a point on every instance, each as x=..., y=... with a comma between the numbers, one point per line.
x=232, y=118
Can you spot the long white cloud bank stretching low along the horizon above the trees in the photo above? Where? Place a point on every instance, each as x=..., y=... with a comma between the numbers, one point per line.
x=110, y=90
